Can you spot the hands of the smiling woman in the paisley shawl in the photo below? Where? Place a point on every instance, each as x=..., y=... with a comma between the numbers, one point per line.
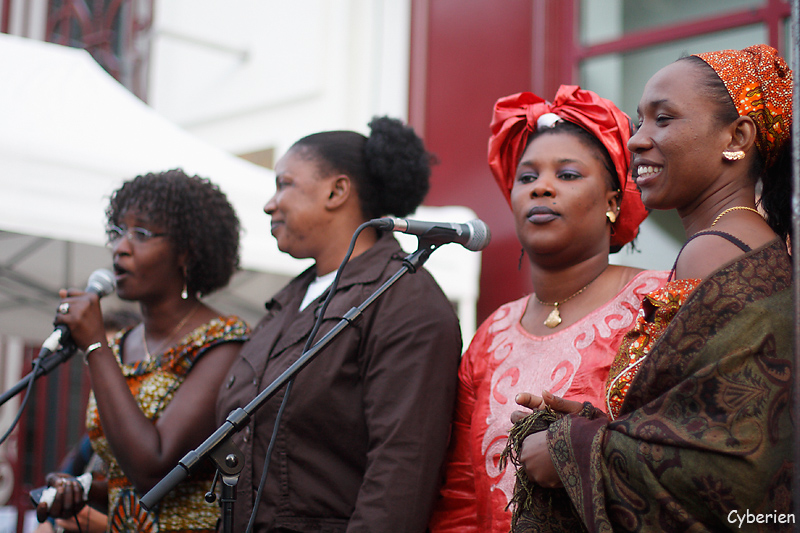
x=534, y=455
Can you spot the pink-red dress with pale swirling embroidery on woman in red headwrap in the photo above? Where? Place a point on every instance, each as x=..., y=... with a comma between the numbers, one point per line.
x=504, y=360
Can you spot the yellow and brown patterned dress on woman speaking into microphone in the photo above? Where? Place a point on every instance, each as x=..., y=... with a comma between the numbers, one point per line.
x=153, y=384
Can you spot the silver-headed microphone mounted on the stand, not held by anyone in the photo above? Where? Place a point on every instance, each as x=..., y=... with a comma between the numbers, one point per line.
x=473, y=235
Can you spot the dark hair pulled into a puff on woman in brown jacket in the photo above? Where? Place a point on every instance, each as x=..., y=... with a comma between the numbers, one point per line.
x=390, y=168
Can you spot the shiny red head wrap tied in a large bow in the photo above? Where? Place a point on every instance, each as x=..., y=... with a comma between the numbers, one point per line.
x=515, y=119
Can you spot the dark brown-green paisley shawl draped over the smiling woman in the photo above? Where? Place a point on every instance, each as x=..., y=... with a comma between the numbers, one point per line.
x=705, y=433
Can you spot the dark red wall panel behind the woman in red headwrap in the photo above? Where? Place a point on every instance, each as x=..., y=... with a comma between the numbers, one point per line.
x=465, y=55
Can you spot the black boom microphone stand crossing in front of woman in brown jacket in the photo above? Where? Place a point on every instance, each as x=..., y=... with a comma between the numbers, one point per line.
x=219, y=447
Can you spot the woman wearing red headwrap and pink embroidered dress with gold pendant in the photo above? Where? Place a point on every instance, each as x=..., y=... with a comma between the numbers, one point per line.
x=563, y=167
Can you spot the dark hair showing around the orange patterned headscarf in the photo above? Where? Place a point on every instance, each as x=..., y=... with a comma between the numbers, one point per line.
x=775, y=181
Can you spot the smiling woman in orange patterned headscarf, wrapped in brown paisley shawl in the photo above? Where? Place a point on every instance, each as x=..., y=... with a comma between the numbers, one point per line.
x=698, y=435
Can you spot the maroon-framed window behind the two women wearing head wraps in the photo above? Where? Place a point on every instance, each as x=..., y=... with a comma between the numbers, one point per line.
x=622, y=43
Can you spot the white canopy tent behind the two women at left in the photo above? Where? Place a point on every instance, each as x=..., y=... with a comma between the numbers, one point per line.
x=70, y=134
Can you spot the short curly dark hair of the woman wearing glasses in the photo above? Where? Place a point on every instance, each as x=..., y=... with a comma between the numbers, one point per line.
x=198, y=218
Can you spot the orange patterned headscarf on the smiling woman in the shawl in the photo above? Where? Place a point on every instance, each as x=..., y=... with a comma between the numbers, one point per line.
x=760, y=84
